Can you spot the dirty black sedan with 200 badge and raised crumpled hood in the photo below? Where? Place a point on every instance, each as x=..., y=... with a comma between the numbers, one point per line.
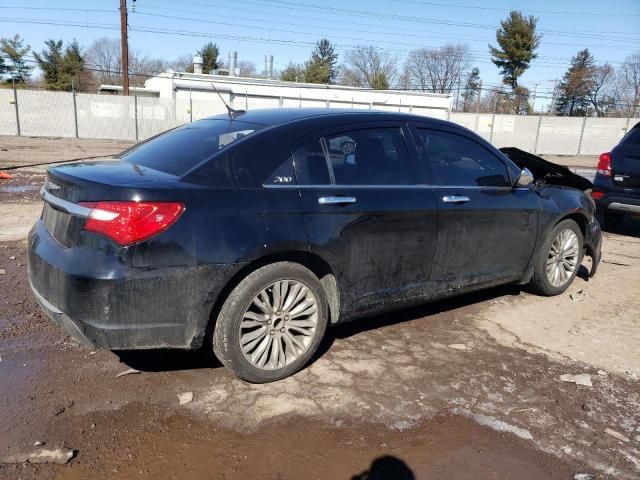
x=257, y=230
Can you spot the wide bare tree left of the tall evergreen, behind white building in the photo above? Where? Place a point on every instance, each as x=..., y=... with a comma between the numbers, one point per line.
x=437, y=70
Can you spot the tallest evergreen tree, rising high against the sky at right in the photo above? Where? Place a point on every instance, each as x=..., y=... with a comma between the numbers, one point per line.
x=517, y=42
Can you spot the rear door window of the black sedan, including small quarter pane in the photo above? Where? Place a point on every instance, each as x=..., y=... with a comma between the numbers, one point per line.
x=361, y=157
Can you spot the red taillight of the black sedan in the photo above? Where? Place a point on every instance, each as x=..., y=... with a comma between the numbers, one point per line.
x=130, y=222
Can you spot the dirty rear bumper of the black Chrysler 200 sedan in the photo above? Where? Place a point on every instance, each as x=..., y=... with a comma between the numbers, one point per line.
x=104, y=302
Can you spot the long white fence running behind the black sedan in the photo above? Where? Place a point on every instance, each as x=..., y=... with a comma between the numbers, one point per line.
x=62, y=114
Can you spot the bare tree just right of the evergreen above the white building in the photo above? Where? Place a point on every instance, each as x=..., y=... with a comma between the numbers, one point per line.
x=367, y=66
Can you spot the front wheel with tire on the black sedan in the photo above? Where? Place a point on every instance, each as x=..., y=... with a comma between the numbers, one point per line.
x=557, y=262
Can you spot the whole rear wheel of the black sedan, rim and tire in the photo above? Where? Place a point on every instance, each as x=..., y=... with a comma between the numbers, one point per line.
x=272, y=323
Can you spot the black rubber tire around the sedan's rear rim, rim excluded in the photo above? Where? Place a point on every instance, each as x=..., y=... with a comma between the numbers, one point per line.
x=226, y=333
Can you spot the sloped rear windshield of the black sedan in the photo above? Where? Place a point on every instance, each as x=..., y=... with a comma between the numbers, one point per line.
x=178, y=151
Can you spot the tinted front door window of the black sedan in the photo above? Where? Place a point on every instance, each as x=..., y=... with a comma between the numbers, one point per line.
x=456, y=160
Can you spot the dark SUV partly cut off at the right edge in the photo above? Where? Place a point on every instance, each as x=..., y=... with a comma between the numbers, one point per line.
x=616, y=188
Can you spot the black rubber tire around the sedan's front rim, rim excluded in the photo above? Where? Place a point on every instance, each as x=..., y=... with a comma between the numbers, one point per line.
x=540, y=283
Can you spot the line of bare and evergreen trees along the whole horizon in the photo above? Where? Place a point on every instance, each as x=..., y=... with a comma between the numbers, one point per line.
x=586, y=88
